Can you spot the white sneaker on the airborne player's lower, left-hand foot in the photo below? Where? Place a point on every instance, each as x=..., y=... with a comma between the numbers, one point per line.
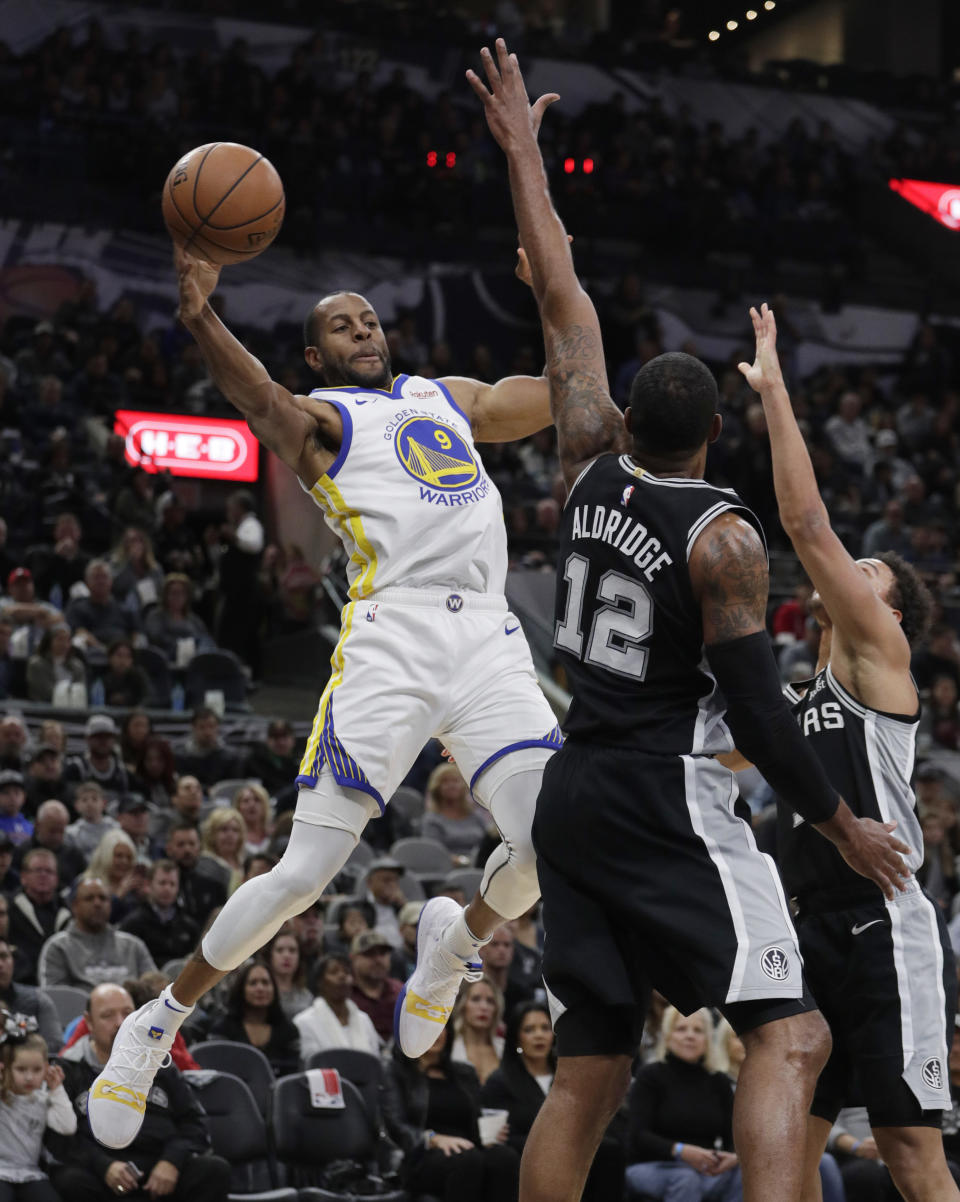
x=117, y=1102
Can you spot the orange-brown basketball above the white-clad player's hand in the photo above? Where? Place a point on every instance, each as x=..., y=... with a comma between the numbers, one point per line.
x=224, y=203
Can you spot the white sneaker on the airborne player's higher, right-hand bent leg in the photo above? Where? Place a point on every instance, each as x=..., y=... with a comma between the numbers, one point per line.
x=427, y=999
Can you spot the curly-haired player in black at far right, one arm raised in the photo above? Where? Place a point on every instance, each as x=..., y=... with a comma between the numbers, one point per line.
x=881, y=969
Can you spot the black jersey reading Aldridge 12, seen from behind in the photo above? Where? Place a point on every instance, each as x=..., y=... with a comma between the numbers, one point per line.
x=629, y=629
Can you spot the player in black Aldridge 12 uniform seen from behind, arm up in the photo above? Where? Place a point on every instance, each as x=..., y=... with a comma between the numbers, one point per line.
x=648, y=877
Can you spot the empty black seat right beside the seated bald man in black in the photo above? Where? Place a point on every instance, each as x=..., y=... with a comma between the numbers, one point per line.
x=238, y=1134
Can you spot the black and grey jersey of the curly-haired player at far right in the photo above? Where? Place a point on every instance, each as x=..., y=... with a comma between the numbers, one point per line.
x=869, y=759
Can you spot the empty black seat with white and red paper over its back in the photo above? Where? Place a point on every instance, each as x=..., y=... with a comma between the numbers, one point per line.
x=308, y=1141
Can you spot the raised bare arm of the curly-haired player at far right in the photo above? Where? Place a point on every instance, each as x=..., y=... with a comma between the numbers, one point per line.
x=860, y=618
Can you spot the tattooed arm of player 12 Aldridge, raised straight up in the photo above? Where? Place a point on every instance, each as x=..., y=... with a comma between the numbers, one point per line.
x=588, y=423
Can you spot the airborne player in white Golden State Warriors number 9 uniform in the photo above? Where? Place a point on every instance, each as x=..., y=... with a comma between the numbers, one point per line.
x=427, y=648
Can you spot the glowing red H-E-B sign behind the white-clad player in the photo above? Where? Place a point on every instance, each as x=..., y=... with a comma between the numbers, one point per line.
x=211, y=448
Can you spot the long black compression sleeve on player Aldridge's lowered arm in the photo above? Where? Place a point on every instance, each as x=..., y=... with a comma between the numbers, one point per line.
x=765, y=729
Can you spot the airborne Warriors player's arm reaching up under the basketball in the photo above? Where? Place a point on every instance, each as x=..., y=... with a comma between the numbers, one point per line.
x=271, y=410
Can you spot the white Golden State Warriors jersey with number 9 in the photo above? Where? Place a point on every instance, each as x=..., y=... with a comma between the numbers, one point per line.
x=408, y=493
